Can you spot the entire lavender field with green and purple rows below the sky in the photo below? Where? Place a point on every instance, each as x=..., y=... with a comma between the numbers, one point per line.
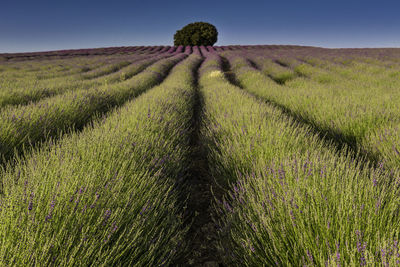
x=265, y=155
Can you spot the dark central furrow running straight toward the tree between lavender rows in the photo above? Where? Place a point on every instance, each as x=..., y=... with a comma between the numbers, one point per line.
x=201, y=237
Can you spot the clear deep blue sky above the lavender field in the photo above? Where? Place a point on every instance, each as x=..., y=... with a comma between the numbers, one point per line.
x=37, y=25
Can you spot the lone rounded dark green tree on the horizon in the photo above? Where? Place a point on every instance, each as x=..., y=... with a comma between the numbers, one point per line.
x=197, y=33
